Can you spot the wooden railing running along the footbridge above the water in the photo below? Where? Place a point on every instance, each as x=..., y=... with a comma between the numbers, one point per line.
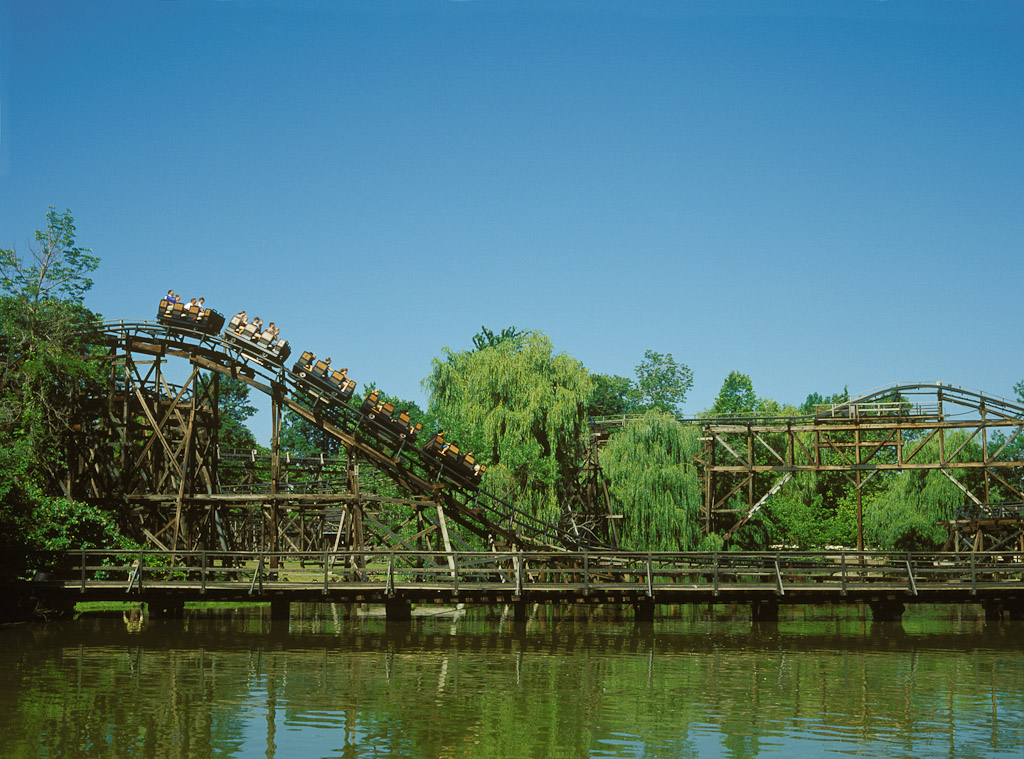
x=582, y=572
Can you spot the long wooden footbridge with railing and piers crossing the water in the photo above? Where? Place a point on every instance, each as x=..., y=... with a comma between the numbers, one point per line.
x=884, y=581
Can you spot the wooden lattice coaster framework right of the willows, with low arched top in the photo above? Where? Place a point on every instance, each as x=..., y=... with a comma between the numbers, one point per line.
x=746, y=461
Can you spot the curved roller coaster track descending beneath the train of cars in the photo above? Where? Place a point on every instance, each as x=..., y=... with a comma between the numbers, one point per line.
x=483, y=514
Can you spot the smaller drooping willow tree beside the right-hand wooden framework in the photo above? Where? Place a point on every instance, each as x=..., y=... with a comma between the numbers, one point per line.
x=655, y=485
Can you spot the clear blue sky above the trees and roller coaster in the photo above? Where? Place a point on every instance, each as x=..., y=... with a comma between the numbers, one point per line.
x=817, y=194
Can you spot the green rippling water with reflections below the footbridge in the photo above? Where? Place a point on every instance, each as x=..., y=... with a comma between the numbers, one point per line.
x=573, y=684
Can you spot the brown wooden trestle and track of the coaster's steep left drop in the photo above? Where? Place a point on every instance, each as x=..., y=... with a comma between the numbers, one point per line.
x=148, y=448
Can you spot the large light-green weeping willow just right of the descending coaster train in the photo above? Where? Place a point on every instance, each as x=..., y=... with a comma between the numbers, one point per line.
x=521, y=409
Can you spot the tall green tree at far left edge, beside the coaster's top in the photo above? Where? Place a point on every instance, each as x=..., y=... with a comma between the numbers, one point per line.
x=46, y=334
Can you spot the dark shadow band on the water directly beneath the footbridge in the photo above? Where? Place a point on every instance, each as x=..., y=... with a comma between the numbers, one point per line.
x=339, y=627
